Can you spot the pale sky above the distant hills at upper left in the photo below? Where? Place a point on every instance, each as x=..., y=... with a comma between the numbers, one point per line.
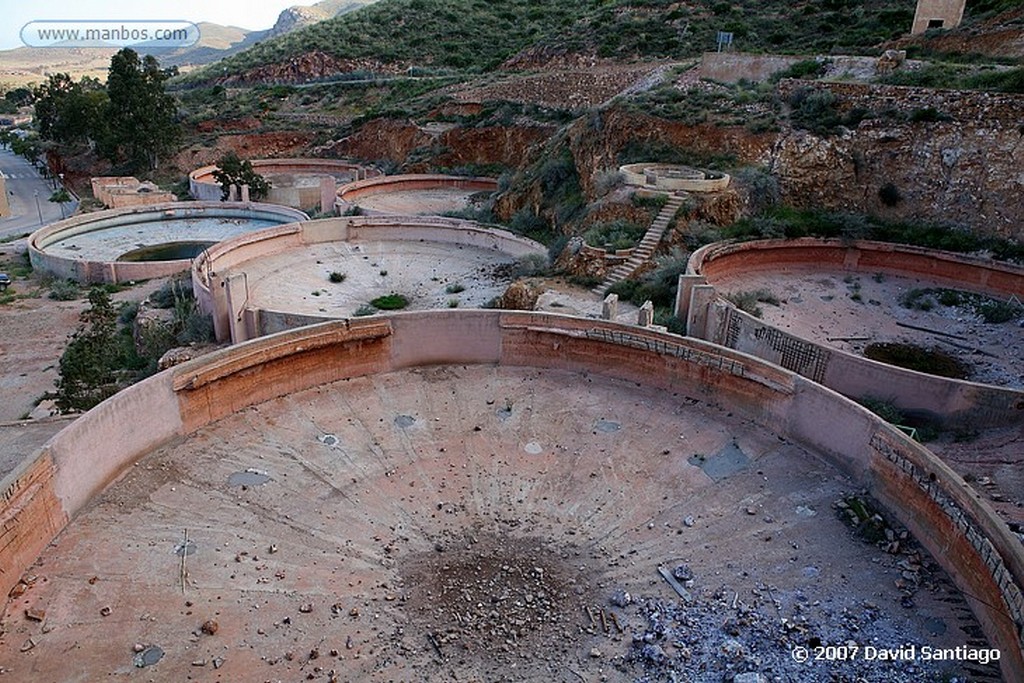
x=251, y=15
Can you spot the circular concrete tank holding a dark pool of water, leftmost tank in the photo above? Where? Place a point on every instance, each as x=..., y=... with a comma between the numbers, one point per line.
x=140, y=243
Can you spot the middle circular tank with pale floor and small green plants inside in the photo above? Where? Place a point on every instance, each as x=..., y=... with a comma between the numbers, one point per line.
x=335, y=268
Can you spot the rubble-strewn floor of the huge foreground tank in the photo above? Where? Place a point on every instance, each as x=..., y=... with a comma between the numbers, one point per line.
x=477, y=525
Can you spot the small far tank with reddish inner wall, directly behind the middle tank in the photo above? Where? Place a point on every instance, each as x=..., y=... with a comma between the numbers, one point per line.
x=412, y=195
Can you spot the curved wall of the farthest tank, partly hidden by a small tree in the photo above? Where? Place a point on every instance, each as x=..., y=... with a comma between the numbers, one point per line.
x=202, y=185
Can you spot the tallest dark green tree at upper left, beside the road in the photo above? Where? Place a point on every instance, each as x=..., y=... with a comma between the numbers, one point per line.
x=141, y=116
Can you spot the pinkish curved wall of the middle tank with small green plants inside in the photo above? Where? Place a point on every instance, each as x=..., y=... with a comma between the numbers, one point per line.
x=222, y=290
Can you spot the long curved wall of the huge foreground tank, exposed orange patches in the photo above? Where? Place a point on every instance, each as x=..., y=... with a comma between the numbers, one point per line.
x=937, y=506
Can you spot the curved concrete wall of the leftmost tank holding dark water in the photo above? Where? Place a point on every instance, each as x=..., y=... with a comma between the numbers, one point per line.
x=84, y=271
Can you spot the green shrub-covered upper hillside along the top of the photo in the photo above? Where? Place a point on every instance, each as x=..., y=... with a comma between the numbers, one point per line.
x=478, y=36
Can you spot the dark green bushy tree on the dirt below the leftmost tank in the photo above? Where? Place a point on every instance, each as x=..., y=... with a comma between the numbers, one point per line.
x=93, y=368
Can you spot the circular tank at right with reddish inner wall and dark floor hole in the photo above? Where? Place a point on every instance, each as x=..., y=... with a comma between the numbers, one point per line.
x=833, y=298
